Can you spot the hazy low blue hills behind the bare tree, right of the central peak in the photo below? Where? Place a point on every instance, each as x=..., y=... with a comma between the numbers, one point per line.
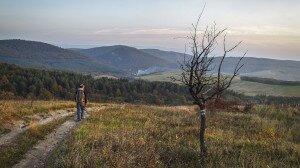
x=258, y=67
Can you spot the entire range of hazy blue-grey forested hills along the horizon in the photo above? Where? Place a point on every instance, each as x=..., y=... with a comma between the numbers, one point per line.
x=120, y=60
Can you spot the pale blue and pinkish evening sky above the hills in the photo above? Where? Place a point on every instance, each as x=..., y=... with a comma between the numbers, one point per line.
x=268, y=28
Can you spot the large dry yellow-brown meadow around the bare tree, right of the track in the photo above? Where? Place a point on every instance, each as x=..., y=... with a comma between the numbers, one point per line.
x=158, y=136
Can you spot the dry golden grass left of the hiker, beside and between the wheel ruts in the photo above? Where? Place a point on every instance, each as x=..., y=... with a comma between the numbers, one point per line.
x=20, y=110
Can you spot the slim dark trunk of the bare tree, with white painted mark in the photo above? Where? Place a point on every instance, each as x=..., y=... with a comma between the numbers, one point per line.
x=202, y=130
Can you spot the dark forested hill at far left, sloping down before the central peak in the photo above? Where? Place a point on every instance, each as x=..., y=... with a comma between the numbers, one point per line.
x=43, y=55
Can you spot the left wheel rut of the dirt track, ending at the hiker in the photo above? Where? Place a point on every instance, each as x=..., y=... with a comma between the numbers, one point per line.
x=54, y=115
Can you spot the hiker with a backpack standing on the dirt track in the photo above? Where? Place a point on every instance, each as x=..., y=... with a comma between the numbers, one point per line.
x=81, y=100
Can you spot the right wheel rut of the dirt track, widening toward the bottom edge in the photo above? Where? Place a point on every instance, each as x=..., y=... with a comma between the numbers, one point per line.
x=37, y=156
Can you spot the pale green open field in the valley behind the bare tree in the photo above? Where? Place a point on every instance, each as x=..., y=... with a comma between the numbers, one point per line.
x=246, y=87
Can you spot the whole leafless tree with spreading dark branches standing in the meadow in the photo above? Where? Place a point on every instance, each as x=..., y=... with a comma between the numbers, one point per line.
x=197, y=70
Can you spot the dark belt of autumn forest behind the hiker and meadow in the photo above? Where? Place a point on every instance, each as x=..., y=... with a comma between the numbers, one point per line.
x=27, y=83
